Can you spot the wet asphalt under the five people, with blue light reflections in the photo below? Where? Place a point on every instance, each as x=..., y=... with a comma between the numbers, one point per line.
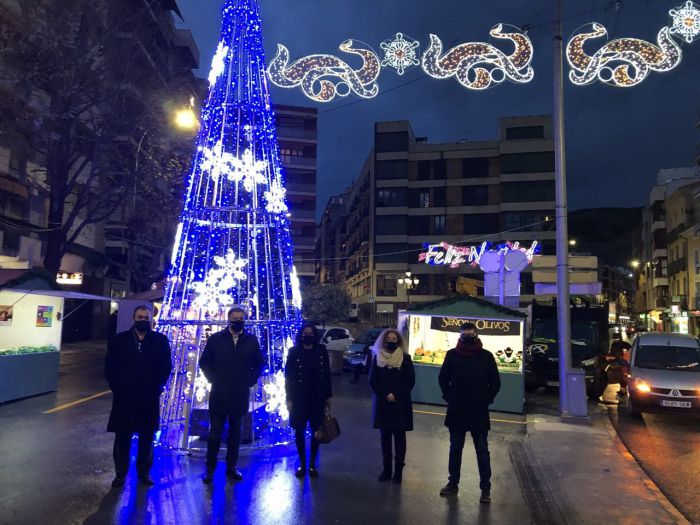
x=55, y=468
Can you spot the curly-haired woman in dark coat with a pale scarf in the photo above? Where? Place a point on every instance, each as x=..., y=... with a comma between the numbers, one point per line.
x=391, y=378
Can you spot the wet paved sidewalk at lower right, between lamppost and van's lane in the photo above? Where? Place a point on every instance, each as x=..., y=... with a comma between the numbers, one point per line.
x=589, y=475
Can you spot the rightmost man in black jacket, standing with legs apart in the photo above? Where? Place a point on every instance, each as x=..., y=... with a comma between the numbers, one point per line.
x=469, y=382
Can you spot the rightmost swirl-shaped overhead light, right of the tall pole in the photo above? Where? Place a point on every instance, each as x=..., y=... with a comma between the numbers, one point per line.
x=623, y=62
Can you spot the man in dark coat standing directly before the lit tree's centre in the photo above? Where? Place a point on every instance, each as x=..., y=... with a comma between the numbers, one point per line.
x=232, y=363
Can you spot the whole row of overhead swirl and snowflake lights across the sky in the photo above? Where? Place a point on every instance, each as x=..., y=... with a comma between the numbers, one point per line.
x=622, y=62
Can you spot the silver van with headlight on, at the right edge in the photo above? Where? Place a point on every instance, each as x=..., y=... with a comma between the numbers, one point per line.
x=664, y=374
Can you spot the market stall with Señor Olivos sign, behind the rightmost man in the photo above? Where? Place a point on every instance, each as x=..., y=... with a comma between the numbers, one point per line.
x=433, y=328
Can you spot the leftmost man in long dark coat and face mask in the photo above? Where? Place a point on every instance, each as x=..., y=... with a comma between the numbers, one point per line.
x=137, y=367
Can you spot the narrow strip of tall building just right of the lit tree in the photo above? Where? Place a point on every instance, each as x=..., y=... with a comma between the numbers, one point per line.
x=298, y=139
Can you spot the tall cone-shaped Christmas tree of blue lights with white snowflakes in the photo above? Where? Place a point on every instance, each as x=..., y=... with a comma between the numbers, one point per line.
x=233, y=245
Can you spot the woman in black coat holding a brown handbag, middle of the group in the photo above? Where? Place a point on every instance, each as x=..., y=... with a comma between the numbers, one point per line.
x=309, y=392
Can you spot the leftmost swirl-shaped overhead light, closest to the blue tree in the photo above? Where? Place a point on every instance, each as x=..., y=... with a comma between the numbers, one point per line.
x=323, y=77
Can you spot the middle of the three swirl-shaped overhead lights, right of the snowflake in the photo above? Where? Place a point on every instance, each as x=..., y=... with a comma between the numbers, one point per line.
x=478, y=65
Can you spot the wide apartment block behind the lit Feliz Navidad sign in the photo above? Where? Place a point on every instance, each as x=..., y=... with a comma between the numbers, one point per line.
x=411, y=193
